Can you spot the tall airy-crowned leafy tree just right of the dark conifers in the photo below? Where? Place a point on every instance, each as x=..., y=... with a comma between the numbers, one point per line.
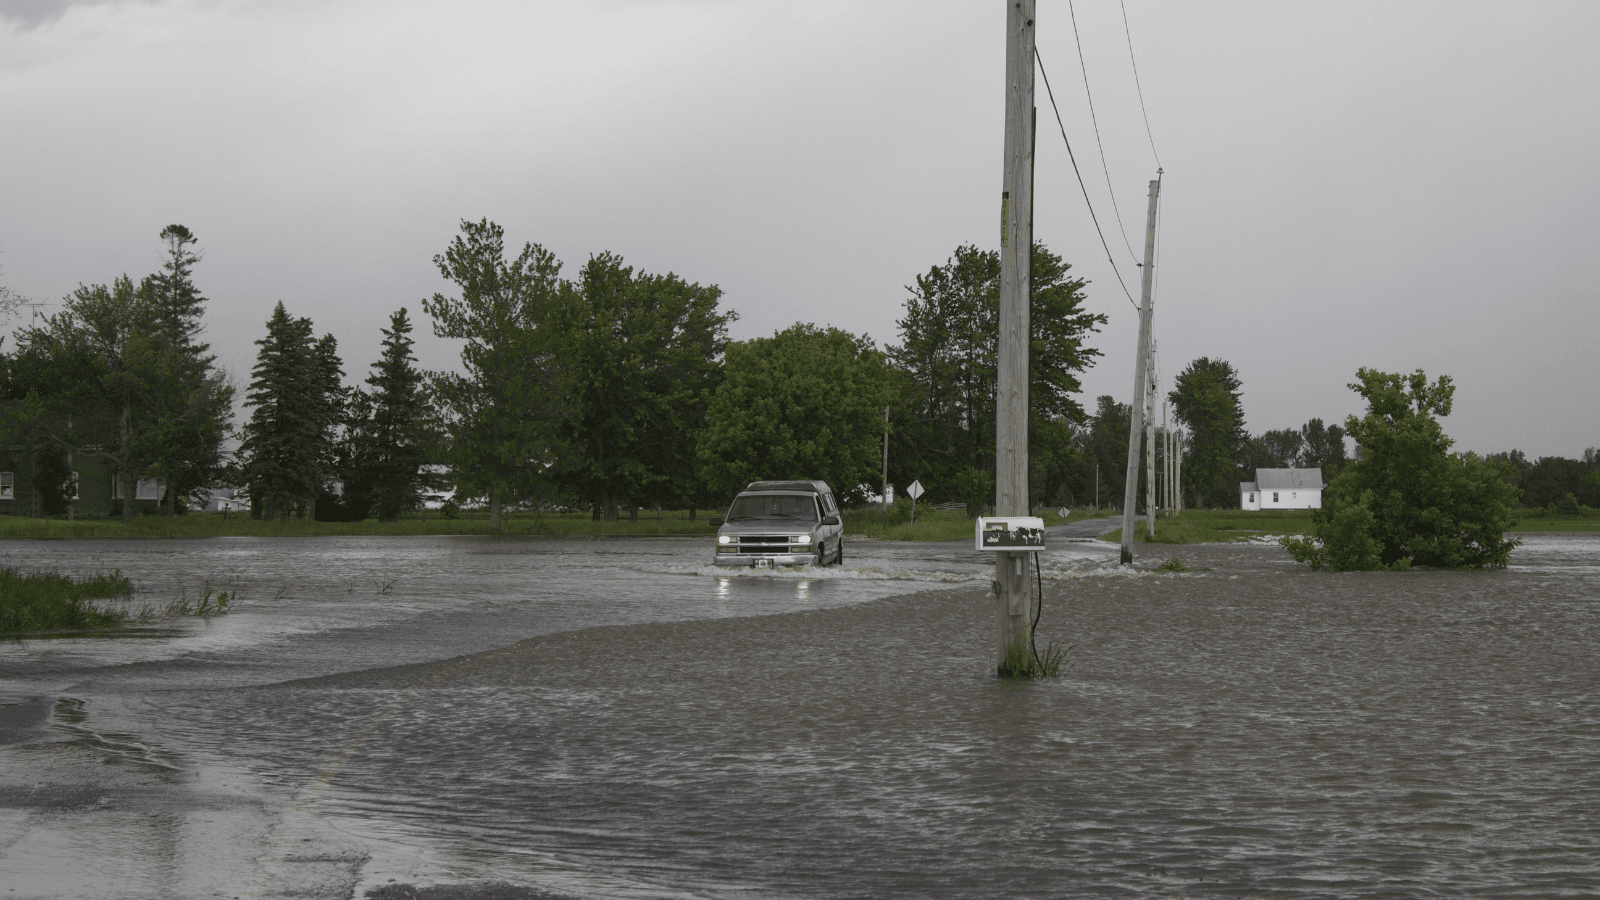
x=505, y=409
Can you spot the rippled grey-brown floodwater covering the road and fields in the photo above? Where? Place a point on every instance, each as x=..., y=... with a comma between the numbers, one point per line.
x=500, y=718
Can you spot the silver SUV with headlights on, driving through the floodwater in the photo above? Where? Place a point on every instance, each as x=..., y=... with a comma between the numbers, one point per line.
x=782, y=524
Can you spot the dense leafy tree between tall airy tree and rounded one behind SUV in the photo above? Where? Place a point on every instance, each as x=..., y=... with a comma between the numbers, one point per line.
x=639, y=358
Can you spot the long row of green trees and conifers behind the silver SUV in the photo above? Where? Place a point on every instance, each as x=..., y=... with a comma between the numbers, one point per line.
x=612, y=390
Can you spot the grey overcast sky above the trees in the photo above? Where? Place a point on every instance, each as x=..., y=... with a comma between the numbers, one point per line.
x=1386, y=185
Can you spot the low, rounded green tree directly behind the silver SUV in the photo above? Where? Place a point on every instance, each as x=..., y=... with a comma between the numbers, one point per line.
x=804, y=404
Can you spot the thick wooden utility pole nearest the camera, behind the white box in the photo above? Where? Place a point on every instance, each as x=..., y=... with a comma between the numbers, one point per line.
x=1014, y=573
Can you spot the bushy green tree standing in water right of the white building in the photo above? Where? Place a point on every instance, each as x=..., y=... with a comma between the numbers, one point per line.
x=1409, y=499
